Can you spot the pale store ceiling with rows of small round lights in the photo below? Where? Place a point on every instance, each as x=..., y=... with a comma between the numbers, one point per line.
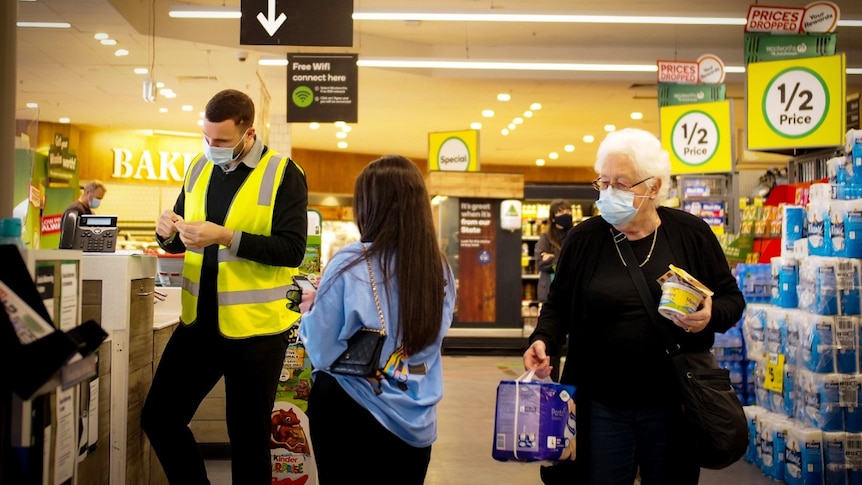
x=69, y=73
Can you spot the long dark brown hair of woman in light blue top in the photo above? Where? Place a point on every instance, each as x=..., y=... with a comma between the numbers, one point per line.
x=393, y=211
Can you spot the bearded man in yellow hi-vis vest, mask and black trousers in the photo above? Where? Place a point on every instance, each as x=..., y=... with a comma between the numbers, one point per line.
x=241, y=219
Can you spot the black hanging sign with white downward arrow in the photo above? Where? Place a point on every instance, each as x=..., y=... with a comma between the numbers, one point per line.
x=297, y=22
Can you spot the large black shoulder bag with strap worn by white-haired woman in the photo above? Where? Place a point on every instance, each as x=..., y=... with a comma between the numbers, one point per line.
x=716, y=420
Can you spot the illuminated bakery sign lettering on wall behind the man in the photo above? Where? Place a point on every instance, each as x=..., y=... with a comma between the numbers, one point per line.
x=164, y=166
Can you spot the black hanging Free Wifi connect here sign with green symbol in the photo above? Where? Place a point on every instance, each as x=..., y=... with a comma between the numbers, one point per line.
x=322, y=88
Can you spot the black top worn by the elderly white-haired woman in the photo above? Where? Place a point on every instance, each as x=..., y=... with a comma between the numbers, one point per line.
x=615, y=354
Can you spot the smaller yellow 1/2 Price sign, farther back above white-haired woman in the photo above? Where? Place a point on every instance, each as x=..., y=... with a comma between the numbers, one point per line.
x=698, y=137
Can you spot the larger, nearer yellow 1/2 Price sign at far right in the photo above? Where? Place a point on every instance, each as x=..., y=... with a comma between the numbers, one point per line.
x=796, y=103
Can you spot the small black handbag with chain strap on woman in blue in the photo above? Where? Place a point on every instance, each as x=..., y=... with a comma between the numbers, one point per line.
x=362, y=357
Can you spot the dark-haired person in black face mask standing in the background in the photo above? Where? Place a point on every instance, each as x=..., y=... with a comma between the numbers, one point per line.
x=547, y=251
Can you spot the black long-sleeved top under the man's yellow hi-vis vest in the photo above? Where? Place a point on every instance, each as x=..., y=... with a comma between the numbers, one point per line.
x=286, y=246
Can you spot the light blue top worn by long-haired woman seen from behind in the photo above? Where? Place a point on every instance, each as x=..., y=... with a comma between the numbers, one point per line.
x=344, y=304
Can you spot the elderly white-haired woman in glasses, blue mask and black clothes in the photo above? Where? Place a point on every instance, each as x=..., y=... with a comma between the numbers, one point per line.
x=629, y=419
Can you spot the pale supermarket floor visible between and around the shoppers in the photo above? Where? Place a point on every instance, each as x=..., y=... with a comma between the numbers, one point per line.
x=462, y=453
